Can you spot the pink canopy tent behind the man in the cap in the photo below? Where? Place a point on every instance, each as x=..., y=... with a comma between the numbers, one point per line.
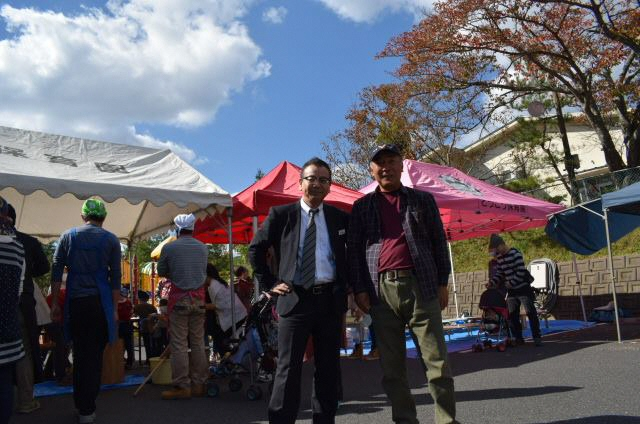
x=470, y=207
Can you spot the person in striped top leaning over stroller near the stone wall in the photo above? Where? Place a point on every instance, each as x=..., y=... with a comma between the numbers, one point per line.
x=517, y=280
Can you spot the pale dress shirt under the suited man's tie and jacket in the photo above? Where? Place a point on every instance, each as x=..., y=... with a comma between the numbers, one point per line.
x=325, y=262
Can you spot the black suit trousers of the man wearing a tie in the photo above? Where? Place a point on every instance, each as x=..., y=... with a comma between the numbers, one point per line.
x=314, y=316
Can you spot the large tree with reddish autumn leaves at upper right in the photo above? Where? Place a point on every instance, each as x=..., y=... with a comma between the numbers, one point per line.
x=498, y=52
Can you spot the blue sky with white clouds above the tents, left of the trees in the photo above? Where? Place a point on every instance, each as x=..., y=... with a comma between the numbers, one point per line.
x=230, y=85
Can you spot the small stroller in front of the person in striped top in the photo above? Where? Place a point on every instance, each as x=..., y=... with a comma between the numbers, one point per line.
x=494, y=323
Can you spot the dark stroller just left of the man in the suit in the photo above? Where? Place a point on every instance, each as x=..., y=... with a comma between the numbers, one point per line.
x=254, y=352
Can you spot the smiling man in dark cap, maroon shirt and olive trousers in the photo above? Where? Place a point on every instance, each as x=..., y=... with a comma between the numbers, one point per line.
x=400, y=271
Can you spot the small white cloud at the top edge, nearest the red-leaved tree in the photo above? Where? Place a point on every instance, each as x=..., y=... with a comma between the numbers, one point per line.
x=369, y=10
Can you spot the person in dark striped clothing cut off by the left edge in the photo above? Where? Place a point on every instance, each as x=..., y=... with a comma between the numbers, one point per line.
x=12, y=267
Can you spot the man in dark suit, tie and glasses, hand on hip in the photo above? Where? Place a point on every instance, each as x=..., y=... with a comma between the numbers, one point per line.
x=309, y=239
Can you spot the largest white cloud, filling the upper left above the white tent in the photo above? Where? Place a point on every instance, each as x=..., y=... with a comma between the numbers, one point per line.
x=100, y=72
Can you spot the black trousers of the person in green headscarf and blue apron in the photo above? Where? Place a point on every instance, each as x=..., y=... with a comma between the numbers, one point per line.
x=89, y=336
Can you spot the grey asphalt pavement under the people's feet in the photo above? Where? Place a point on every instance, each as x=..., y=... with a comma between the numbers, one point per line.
x=580, y=377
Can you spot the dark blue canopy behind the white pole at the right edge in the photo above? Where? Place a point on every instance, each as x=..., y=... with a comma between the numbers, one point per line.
x=583, y=232
